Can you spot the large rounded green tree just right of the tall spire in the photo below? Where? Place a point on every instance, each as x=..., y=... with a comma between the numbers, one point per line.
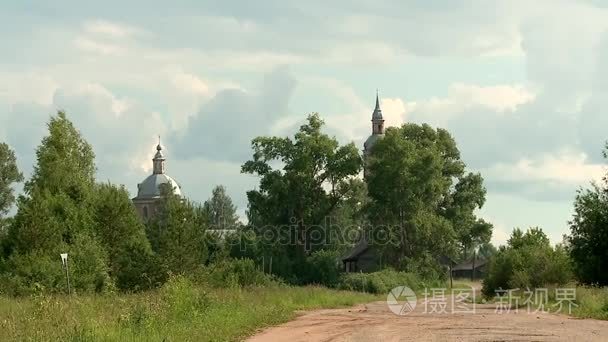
x=411, y=177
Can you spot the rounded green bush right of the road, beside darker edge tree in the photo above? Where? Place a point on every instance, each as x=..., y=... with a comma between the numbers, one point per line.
x=528, y=261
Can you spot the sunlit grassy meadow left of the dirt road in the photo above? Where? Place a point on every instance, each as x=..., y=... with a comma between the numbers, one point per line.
x=180, y=311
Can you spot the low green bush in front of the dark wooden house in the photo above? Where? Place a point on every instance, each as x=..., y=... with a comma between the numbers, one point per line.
x=380, y=282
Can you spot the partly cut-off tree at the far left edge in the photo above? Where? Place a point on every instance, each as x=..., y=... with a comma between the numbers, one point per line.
x=9, y=174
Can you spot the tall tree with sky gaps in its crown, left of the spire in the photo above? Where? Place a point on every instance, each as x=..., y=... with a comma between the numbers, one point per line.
x=295, y=198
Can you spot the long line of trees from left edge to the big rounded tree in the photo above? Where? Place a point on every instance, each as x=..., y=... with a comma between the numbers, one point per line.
x=416, y=207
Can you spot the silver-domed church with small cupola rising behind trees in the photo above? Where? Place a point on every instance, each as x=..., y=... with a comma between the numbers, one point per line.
x=149, y=190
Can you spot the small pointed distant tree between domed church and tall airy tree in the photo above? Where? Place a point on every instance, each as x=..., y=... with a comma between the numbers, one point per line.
x=220, y=210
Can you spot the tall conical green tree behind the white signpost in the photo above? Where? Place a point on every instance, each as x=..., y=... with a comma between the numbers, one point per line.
x=56, y=215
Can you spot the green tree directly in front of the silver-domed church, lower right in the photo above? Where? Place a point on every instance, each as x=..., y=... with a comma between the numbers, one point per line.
x=177, y=234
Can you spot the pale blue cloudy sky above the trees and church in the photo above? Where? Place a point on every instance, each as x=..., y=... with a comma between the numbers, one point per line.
x=521, y=85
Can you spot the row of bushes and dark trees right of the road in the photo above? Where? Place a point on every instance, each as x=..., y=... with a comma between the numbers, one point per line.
x=529, y=261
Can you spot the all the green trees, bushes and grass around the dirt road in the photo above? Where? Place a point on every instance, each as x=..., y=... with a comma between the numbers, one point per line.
x=160, y=278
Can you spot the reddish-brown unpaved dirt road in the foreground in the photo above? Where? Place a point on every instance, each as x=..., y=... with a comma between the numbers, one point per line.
x=375, y=322
